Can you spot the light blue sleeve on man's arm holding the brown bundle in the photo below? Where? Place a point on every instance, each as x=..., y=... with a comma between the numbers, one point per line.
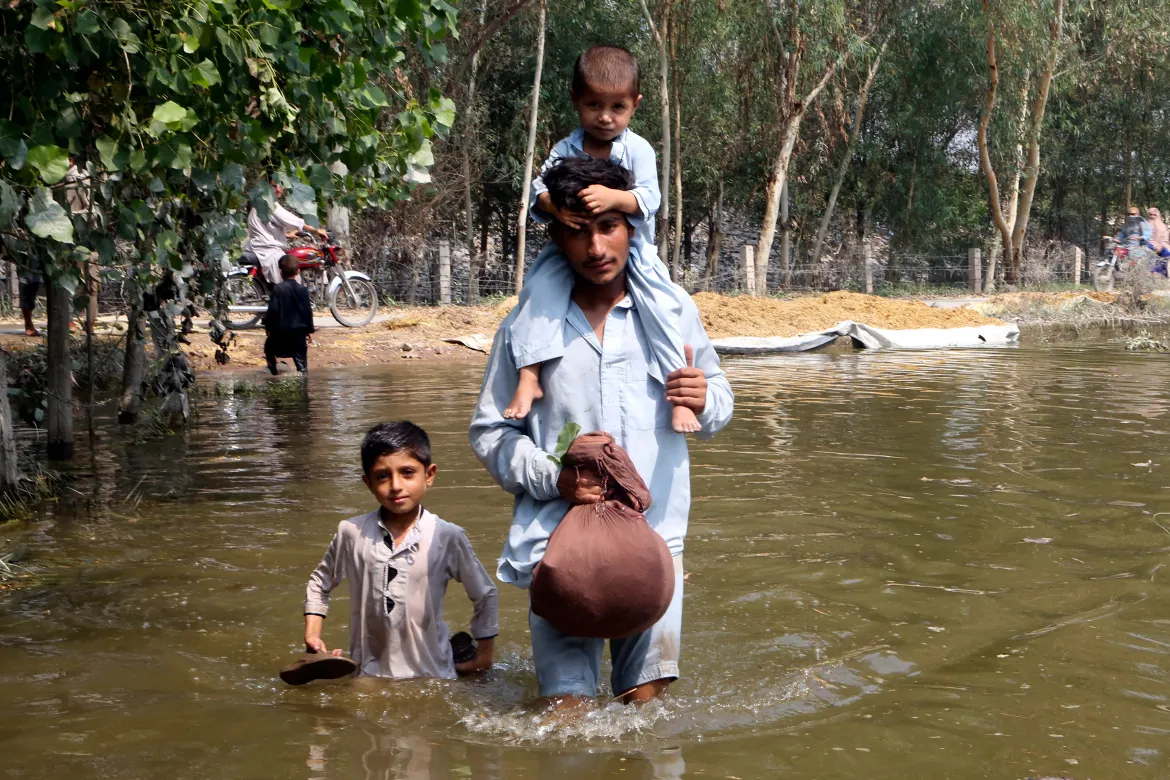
x=504, y=446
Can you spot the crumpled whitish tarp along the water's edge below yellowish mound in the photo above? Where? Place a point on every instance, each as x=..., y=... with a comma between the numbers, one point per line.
x=875, y=339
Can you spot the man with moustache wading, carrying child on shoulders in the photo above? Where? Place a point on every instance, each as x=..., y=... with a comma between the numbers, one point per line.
x=601, y=384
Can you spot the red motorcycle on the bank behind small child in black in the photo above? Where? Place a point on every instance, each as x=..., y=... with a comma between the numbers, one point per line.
x=350, y=295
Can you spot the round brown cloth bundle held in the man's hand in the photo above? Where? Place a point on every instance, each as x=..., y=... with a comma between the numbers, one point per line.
x=607, y=574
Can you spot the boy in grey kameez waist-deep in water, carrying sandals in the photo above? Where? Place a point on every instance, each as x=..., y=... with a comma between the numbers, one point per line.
x=398, y=561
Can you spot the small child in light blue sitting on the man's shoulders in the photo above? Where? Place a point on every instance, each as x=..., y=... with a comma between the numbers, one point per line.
x=607, y=92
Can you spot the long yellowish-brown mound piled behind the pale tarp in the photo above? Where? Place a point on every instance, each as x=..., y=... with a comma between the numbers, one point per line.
x=726, y=317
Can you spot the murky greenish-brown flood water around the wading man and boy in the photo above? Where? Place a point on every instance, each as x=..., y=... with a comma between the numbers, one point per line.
x=900, y=565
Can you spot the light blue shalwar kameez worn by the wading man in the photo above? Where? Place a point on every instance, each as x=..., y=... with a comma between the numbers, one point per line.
x=601, y=385
